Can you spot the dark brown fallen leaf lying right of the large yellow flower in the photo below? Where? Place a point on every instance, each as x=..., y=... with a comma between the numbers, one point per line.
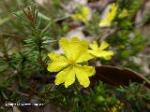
x=117, y=76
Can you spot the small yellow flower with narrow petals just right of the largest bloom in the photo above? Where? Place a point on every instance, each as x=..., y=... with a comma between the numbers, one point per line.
x=99, y=51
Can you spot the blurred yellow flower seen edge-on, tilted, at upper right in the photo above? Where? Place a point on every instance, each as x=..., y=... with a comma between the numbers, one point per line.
x=108, y=15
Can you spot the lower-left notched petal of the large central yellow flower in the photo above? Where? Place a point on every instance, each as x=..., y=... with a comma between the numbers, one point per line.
x=66, y=76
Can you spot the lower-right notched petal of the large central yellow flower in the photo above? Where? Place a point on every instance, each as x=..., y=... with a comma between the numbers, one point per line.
x=83, y=73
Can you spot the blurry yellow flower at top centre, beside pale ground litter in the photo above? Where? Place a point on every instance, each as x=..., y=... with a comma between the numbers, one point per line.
x=83, y=14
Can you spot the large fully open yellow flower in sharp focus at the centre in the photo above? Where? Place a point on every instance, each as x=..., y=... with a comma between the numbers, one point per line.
x=71, y=64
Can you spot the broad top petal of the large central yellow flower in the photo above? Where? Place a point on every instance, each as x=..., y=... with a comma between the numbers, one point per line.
x=73, y=48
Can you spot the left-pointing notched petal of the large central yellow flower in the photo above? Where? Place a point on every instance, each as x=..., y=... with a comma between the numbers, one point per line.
x=58, y=62
